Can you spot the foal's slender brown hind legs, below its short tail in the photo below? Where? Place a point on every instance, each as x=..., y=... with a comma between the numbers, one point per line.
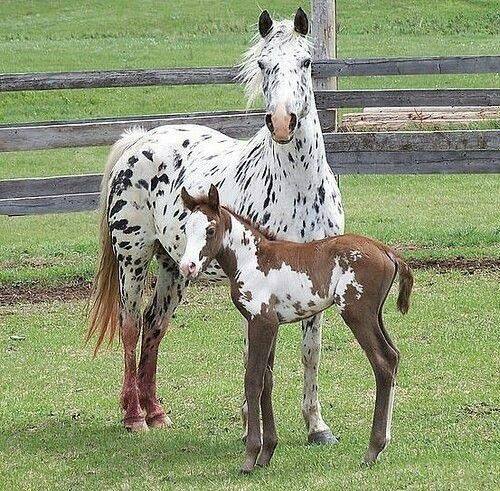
x=384, y=360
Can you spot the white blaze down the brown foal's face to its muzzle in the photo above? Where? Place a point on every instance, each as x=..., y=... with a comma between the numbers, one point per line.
x=196, y=238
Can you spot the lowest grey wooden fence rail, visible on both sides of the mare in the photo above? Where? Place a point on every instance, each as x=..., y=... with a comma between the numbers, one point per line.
x=347, y=153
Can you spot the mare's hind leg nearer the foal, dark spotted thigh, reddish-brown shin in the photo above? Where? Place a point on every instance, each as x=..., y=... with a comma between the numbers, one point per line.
x=166, y=298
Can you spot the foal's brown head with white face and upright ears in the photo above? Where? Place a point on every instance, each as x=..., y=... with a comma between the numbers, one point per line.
x=205, y=228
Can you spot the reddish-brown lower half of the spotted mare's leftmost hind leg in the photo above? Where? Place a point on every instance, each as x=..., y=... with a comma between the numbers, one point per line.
x=133, y=418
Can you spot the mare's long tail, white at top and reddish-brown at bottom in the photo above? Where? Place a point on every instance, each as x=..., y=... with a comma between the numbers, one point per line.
x=104, y=308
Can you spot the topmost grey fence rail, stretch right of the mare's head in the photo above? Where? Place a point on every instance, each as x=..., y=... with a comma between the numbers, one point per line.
x=406, y=66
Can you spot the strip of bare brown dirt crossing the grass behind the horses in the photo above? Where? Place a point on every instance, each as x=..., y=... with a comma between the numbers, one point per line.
x=80, y=289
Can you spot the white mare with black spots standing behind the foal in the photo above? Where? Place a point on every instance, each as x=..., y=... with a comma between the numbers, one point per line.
x=280, y=178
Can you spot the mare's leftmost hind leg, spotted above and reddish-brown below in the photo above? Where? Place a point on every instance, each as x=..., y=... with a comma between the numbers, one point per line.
x=132, y=273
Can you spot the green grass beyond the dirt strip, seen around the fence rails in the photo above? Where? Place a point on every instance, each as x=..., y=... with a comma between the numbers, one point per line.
x=434, y=216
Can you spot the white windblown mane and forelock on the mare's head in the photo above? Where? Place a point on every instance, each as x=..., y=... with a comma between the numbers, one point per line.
x=282, y=32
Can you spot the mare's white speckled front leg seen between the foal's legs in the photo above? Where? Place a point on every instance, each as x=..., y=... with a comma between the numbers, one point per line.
x=318, y=430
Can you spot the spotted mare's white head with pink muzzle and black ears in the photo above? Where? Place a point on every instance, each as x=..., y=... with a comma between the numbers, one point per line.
x=279, y=67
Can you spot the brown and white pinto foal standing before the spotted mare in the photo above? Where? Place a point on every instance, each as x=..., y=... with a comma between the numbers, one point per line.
x=274, y=282
